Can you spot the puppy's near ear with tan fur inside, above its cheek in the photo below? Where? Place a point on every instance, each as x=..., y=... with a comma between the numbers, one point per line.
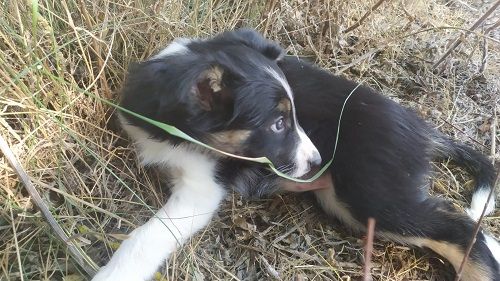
x=210, y=90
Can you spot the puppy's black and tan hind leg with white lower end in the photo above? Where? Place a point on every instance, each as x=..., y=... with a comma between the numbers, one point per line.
x=441, y=228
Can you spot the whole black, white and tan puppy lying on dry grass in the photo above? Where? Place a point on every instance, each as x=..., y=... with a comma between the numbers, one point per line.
x=380, y=168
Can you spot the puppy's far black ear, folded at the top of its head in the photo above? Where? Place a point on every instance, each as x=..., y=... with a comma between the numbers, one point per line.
x=255, y=40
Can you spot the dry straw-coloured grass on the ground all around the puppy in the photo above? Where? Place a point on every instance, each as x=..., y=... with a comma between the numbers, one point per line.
x=53, y=52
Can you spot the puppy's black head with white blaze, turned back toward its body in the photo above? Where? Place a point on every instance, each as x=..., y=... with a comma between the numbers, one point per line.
x=226, y=91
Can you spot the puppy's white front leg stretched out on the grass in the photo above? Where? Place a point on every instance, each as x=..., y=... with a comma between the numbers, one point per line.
x=195, y=198
